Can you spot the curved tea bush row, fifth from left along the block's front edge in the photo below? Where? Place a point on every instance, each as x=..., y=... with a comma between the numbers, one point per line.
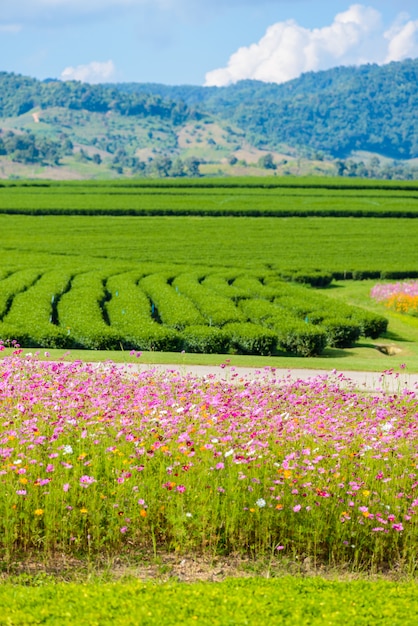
x=216, y=309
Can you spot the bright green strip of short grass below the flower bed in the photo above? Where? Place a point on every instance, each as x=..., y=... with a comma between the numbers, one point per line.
x=288, y=600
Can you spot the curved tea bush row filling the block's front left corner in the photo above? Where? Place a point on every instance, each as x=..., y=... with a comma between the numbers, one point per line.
x=32, y=316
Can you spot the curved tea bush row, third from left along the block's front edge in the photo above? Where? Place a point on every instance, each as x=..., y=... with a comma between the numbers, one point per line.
x=129, y=311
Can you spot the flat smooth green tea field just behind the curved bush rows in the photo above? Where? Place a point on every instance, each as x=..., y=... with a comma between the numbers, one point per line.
x=296, y=248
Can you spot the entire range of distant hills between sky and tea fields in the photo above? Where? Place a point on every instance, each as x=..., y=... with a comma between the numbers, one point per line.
x=347, y=120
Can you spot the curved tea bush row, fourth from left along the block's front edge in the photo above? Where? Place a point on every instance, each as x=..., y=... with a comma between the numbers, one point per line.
x=174, y=309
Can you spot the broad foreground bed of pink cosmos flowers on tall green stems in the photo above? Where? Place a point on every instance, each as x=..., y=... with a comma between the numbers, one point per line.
x=101, y=460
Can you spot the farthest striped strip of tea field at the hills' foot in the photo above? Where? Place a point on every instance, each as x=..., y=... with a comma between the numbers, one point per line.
x=275, y=199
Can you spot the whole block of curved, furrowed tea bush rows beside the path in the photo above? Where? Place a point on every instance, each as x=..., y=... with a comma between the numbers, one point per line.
x=212, y=312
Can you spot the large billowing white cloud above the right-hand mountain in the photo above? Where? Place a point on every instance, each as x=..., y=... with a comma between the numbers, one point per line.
x=288, y=49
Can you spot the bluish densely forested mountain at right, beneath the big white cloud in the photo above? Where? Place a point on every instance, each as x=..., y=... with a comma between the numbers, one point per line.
x=370, y=107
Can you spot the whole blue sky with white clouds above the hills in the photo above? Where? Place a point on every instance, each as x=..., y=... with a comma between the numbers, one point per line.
x=213, y=42
